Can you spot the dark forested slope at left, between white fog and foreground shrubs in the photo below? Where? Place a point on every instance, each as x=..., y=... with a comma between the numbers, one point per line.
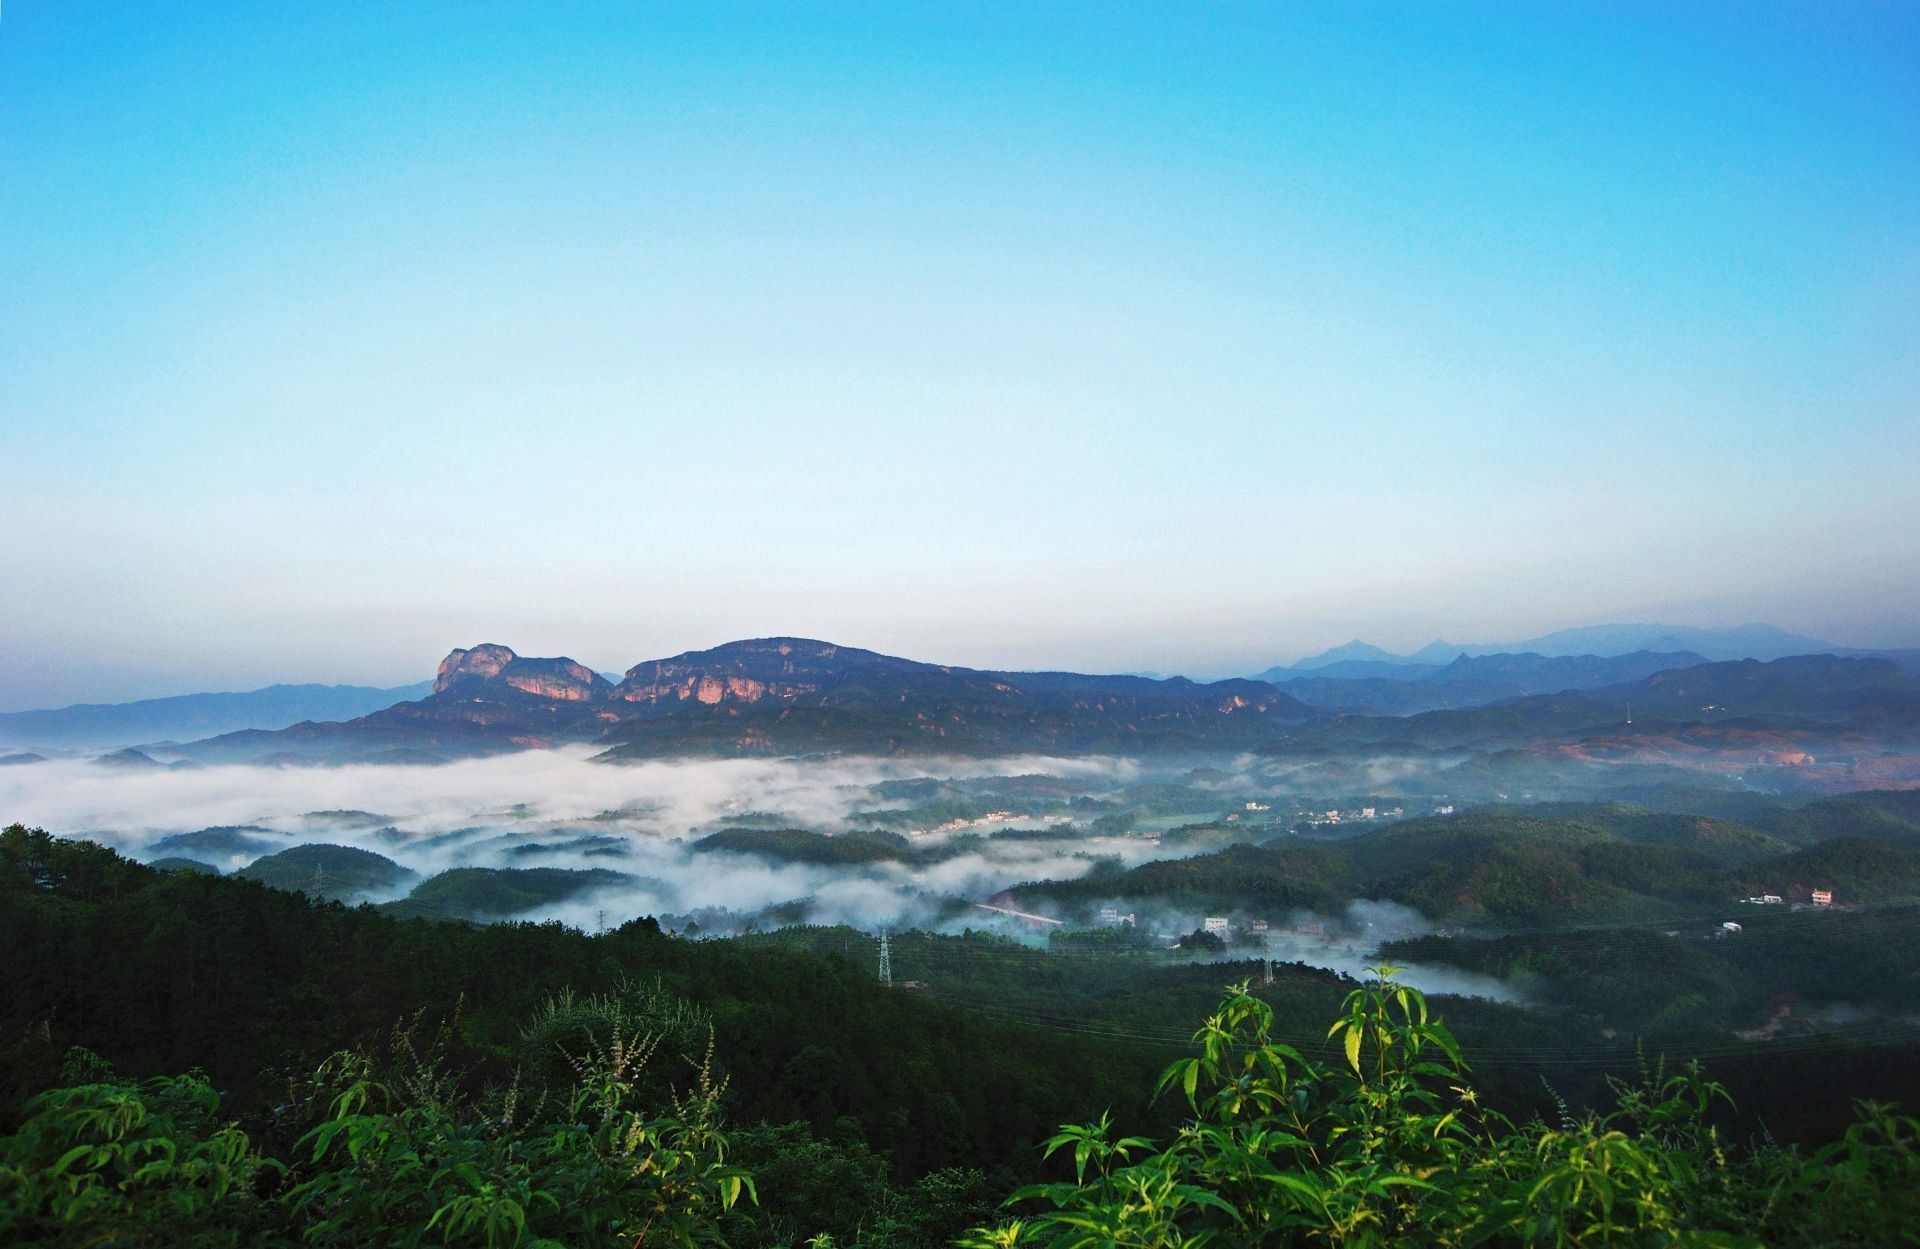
x=170, y=972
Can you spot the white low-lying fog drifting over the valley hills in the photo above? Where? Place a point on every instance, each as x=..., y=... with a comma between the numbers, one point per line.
x=558, y=809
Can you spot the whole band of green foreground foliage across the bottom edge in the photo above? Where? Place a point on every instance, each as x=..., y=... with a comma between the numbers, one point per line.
x=1387, y=1146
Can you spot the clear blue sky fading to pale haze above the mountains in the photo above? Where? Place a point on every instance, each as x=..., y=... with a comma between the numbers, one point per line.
x=1107, y=337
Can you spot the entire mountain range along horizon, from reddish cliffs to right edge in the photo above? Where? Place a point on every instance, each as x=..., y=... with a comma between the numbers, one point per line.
x=796, y=697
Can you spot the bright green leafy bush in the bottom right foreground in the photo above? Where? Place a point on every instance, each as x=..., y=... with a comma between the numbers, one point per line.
x=1393, y=1148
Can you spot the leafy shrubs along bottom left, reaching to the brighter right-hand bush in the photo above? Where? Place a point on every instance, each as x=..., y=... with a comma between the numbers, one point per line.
x=391, y=1146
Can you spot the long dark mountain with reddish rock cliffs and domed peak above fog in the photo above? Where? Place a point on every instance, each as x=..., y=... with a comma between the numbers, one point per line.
x=780, y=695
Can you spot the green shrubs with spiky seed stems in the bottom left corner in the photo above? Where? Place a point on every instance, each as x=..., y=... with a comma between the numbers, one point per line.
x=389, y=1156
